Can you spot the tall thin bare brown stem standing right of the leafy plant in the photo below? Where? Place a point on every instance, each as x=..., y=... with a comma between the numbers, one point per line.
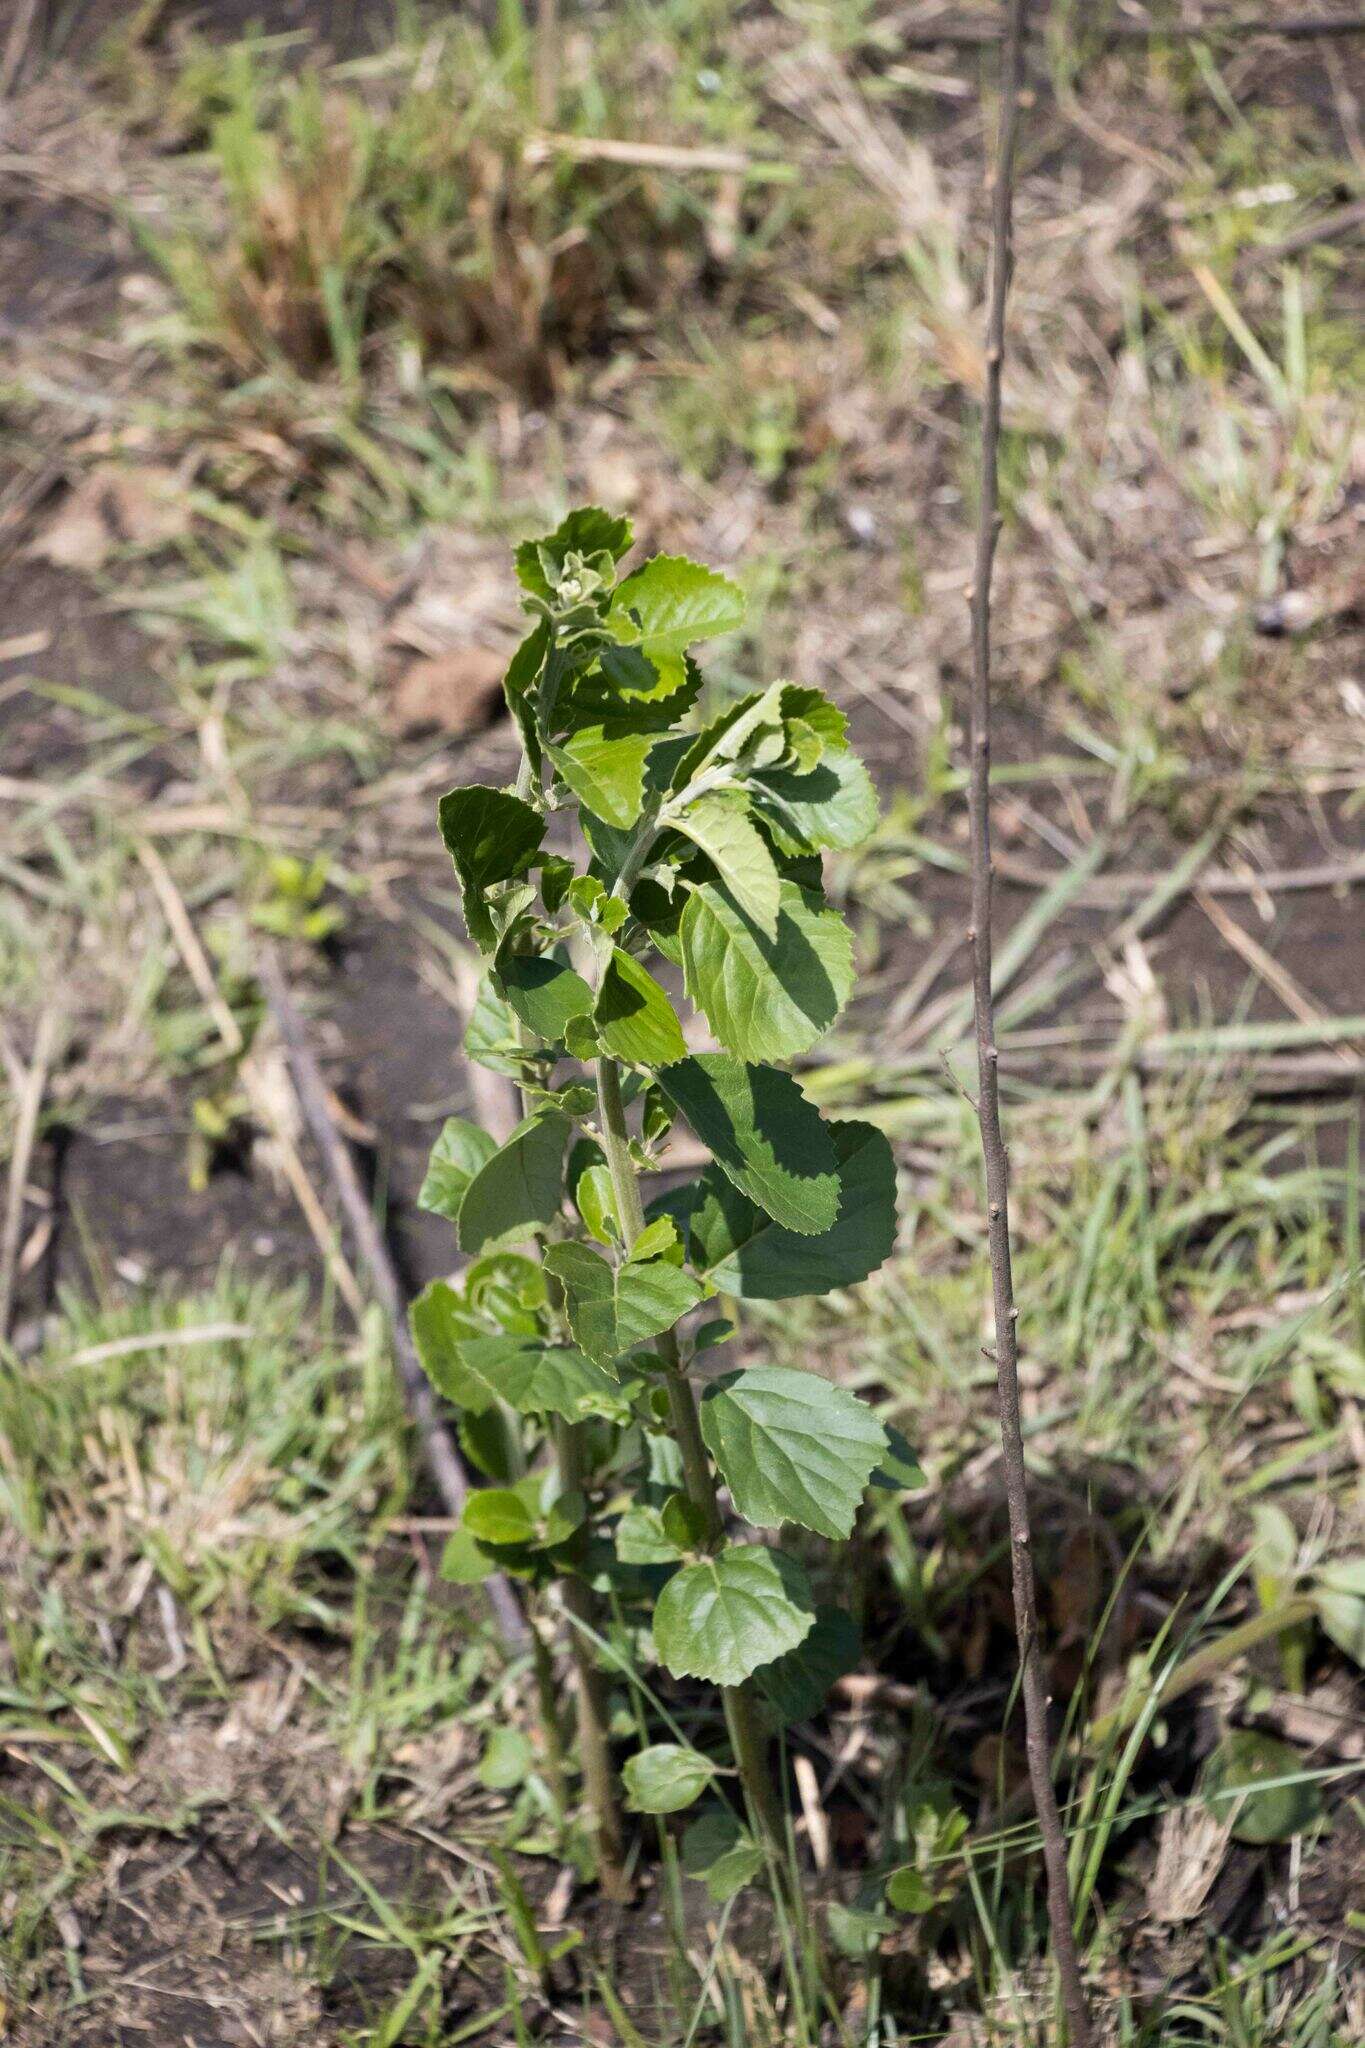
x=987, y=1066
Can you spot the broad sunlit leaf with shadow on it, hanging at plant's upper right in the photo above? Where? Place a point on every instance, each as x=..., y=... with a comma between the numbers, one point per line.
x=766, y=996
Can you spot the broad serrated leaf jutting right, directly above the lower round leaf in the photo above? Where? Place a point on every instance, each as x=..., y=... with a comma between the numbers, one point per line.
x=791, y=1447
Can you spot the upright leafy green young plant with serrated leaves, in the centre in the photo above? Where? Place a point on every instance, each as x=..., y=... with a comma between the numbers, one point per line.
x=648, y=841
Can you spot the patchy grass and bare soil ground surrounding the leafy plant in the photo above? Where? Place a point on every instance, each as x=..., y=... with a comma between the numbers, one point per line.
x=255, y=1764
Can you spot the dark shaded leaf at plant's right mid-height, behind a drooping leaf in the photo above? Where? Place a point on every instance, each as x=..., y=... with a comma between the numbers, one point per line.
x=744, y=1252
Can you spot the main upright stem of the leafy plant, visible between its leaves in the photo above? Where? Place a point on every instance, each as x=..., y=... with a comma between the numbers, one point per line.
x=742, y=1709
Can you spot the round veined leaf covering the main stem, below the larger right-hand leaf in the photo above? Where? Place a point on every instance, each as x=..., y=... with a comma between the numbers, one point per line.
x=732, y=1613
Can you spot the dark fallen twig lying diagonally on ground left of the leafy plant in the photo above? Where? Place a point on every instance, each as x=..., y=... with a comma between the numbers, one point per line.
x=441, y=1455
